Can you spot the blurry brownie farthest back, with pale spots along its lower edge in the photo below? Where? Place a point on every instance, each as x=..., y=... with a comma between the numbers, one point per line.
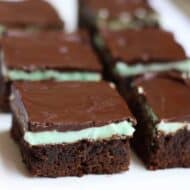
x=117, y=14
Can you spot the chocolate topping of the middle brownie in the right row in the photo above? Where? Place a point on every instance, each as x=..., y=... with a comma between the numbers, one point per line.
x=145, y=45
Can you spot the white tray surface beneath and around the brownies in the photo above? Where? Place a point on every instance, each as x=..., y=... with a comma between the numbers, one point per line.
x=13, y=174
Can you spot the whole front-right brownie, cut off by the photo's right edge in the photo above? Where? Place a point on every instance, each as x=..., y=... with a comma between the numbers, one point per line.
x=161, y=105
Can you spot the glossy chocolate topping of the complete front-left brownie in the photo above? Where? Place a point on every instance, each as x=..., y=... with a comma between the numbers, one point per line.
x=68, y=106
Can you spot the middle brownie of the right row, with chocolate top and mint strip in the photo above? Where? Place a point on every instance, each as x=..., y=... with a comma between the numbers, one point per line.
x=129, y=53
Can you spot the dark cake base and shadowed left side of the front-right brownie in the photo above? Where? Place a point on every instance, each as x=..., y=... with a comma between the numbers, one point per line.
x=157, y=151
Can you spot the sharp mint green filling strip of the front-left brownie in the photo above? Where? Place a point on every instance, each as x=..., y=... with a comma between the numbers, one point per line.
x=120, y=129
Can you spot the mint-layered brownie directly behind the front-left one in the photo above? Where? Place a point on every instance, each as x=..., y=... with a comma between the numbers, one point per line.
x=50, y=55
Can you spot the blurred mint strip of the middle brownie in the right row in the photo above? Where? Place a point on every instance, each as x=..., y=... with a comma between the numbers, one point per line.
x=125, y=70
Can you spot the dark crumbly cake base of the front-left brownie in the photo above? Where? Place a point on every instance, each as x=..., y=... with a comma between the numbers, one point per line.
x=84, y=157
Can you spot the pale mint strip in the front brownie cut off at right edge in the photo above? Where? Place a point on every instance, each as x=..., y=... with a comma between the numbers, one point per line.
x=171, y=127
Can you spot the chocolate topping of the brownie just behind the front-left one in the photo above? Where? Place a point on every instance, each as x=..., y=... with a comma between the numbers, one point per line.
x=50, y=50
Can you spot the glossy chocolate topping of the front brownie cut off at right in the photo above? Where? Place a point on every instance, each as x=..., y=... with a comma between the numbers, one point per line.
x=168, y=97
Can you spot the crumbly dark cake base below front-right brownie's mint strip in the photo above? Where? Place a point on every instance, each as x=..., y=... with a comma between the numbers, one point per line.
x=162, y=151
